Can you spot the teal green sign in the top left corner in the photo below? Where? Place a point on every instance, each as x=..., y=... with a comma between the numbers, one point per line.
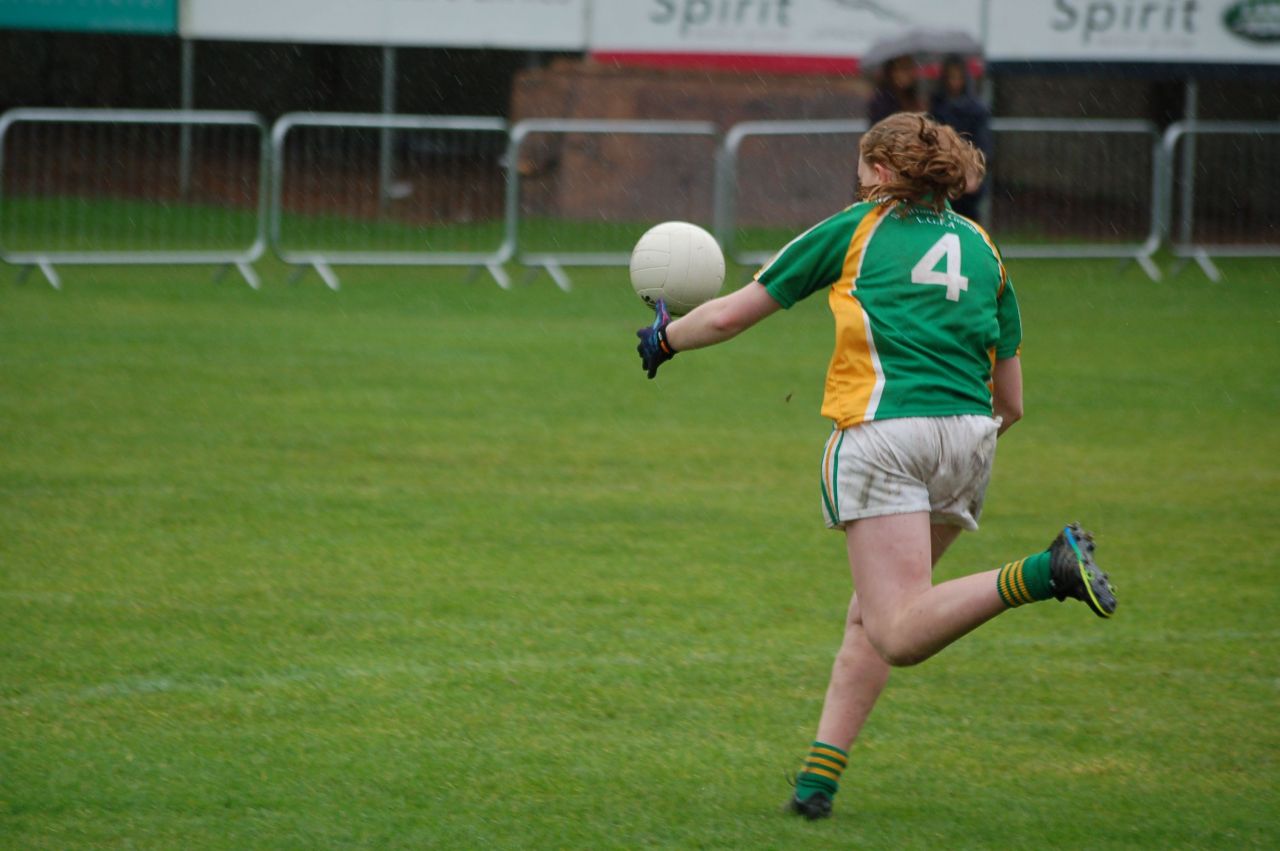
x=158, y=17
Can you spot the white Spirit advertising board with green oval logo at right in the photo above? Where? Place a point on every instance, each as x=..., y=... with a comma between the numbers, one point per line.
x=1135, y=31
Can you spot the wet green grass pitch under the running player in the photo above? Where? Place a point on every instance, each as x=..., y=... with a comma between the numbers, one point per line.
x=424, y=564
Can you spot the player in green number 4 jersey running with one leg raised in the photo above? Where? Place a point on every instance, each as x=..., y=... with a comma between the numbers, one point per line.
x=925, y=377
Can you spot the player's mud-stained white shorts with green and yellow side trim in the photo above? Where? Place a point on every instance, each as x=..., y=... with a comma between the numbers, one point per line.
x=940, y=465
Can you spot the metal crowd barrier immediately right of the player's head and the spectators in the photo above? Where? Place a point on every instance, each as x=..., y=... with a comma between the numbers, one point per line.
x=1076, y=189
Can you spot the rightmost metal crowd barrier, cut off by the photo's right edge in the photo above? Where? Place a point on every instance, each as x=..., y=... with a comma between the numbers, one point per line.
x=1226, y=176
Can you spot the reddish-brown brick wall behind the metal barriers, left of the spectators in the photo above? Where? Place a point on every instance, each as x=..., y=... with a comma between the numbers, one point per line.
x=638, y=179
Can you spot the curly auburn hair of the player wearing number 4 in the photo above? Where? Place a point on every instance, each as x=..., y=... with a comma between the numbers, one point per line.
x=931, y=162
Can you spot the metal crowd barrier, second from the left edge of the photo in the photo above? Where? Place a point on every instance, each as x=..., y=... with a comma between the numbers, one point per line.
x=390, y=190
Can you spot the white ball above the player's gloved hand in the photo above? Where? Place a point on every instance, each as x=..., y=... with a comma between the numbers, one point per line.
x=679, y=263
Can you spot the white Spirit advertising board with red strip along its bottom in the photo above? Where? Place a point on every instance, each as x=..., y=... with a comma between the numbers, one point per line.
x=803, y=33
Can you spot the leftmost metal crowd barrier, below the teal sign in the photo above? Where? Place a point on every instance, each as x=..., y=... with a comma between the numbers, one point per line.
x=98, y=186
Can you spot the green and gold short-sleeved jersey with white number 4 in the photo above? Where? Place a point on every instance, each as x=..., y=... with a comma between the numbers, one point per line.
x=924, y=309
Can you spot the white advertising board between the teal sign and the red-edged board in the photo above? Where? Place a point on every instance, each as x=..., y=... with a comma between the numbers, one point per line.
x=533, y=25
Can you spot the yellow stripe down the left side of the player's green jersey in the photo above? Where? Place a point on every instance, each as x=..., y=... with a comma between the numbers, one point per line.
x=854, y=377
